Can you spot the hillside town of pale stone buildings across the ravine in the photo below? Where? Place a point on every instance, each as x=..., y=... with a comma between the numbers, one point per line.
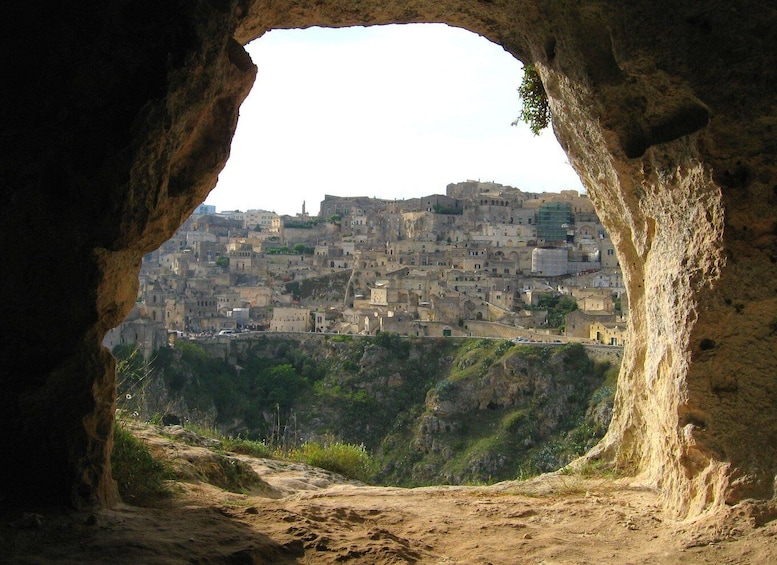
x=482, y=260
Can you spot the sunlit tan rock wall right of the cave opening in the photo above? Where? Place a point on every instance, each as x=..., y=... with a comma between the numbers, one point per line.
x=671, y=132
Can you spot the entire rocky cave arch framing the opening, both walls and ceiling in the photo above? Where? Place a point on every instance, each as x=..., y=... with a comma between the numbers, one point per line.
x=124, y=112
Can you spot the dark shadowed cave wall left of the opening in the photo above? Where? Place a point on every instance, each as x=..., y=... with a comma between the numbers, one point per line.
x=119, y=119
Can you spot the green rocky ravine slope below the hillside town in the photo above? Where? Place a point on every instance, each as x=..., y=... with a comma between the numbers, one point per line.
x=431, y=411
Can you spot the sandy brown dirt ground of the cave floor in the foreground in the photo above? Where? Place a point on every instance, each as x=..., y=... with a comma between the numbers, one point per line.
x=302, y=515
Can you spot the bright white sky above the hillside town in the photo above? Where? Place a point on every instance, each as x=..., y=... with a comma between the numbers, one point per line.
x=395, y=111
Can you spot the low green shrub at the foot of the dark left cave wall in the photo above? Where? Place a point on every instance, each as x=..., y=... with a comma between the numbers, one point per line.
x=140, y=477
